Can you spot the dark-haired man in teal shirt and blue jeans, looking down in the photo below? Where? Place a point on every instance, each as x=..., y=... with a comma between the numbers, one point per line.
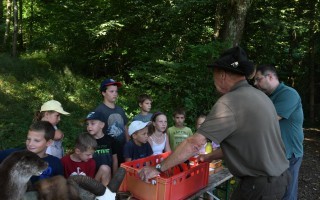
x=288, y=105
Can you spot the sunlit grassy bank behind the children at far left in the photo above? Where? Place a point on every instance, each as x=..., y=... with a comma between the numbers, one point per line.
x=26, y=83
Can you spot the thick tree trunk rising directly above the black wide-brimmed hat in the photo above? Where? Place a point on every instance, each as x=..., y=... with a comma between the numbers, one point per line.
x=234, y=20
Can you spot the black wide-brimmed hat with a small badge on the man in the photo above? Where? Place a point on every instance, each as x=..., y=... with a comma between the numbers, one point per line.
x=234, y=60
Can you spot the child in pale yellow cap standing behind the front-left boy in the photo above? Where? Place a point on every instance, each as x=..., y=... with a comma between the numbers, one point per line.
x=50, y=111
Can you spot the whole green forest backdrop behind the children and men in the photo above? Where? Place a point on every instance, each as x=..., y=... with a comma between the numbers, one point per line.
x=62, y=50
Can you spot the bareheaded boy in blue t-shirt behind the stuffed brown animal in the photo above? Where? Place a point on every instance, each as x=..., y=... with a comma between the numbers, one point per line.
x=40, y=136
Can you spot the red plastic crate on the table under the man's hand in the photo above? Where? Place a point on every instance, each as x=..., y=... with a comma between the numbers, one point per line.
x=178, y=185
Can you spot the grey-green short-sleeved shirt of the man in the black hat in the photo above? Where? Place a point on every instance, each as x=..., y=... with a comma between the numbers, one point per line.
x=244, y=121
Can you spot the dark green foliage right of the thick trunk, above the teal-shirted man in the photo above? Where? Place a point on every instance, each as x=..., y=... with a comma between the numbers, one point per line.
x=283, y=33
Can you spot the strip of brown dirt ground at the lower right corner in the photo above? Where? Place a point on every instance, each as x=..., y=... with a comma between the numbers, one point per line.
x=309, y=177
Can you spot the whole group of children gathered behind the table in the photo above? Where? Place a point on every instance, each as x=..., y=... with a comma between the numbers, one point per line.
x=108, y=142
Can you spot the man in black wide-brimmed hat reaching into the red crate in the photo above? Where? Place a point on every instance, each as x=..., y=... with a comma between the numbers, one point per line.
x=244, y=122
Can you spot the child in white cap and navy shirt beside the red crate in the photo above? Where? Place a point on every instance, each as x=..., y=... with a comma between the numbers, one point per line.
x=138, y=146
